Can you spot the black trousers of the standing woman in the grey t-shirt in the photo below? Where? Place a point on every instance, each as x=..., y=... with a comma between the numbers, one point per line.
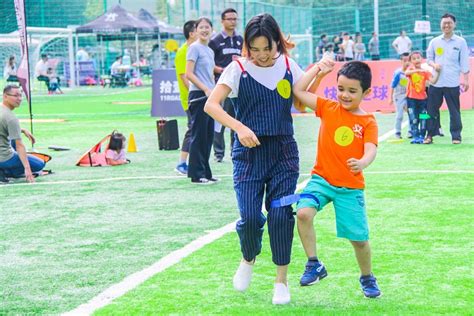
x=202, y=133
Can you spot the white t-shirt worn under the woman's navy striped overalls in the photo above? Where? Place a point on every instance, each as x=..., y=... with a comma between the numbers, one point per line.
x=267, y=76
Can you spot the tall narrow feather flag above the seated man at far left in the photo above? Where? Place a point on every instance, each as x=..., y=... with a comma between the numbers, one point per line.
x=23, y=69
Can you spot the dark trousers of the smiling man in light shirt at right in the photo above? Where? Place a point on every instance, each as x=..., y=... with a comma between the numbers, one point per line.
x=435, y=100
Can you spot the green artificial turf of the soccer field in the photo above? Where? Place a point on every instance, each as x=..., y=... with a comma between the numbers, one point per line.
x=73, y=234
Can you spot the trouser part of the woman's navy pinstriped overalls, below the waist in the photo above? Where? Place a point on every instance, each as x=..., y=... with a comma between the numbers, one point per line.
x=269, y=170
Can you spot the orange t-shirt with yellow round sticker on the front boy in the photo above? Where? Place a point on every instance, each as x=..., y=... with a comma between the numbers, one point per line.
x=342, y=135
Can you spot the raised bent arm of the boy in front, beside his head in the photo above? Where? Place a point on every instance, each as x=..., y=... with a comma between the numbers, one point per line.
x=313, y=76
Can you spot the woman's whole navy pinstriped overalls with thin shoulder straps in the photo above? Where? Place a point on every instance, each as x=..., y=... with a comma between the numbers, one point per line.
x=270, y=169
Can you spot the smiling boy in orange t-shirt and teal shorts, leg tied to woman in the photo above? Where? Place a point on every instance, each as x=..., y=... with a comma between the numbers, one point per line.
x=347, y=144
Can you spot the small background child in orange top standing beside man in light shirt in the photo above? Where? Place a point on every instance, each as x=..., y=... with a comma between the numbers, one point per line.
x=417, y=98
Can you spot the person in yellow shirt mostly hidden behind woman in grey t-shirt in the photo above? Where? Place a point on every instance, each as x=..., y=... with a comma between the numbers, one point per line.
x=189, y=31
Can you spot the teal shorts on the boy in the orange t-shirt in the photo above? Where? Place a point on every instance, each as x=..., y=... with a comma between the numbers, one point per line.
x=349, y=204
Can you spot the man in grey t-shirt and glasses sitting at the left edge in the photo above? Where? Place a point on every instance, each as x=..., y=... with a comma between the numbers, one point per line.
x=15, y=163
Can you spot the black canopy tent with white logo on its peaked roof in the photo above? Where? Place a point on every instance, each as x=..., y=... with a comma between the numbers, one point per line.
x=118, y=24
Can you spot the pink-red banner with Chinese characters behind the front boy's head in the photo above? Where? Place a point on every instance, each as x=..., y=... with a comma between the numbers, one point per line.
x=382, y=73
